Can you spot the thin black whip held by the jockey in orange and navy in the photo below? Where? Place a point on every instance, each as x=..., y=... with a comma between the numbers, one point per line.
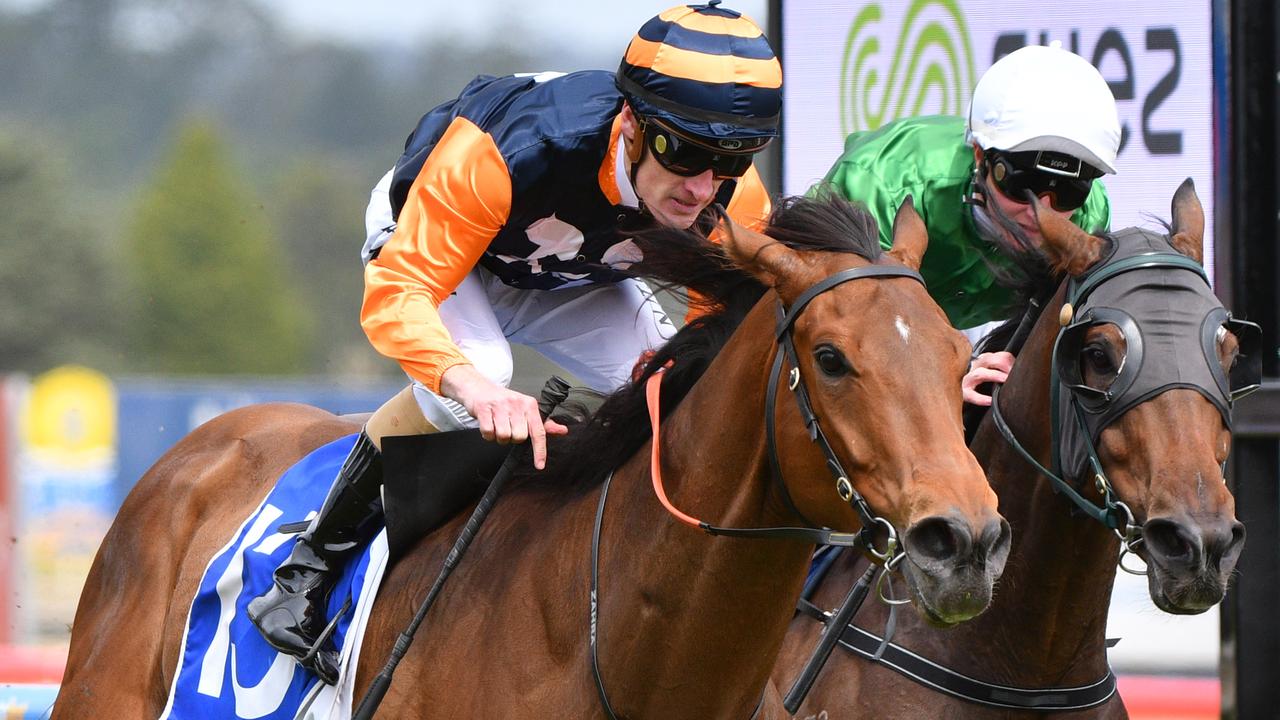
x=554, y=394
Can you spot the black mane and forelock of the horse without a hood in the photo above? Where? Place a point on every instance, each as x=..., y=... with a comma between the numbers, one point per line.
x=676, y=258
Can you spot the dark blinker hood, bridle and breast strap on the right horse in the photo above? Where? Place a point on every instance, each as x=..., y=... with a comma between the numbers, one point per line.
x=1112, y=513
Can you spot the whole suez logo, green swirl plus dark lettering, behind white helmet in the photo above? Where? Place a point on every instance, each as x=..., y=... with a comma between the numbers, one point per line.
x=926, y=66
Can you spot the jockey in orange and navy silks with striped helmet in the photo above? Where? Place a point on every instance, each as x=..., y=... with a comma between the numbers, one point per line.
x=504, y=222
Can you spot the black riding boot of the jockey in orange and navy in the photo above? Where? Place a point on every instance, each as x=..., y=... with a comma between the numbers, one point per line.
x=292, y=614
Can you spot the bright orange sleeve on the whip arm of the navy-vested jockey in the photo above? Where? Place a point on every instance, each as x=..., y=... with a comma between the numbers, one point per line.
x=455, y=208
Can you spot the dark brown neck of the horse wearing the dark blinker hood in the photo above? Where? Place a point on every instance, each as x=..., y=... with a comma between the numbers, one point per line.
x=1048, y=622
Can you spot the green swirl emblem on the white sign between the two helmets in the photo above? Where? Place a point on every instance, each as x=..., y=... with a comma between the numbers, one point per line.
x=932, y=60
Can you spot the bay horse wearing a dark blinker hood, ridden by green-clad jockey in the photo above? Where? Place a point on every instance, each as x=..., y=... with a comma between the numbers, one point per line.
x=1158, y=485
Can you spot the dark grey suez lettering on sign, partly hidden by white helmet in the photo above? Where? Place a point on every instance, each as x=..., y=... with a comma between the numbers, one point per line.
x=1112, y=43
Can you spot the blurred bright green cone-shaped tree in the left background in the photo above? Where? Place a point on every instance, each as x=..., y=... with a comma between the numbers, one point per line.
x=209, y=286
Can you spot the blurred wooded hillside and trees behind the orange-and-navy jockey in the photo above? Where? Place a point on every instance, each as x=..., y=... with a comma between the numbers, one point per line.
x=182, y=184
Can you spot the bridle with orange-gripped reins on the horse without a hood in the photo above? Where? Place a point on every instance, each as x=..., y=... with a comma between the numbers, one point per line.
x=845, y=490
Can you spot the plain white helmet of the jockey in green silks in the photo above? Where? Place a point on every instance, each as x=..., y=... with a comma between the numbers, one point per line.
x=1045, y=98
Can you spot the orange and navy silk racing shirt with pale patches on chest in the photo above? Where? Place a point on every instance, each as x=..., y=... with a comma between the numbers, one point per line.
x=524, y=177
